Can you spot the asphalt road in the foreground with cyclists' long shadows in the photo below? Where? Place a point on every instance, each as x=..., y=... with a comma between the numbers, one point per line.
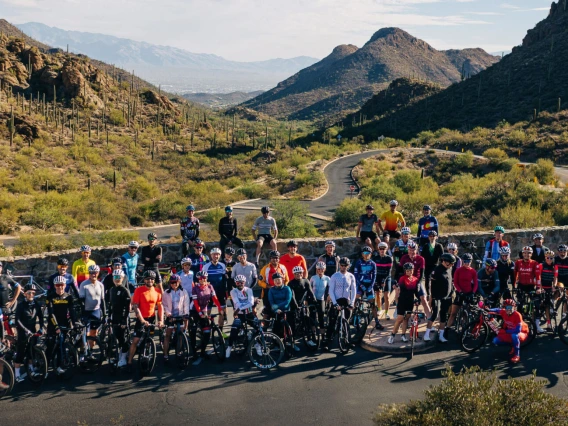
x=320, y=389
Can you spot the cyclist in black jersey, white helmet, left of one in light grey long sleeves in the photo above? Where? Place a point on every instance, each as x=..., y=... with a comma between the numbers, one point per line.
x=59, y=312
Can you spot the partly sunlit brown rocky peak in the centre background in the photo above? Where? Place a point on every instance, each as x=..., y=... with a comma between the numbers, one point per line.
x=349, y=76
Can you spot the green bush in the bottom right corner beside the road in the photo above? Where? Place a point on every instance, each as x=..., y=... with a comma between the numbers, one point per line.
x=477, y=398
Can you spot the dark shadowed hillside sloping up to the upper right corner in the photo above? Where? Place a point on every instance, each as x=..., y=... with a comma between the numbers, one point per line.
x=530, y=80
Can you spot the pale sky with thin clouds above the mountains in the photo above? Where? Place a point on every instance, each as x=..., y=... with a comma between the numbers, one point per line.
x=250, y=30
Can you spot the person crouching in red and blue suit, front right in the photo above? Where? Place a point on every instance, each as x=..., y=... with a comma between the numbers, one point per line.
x=514, y=329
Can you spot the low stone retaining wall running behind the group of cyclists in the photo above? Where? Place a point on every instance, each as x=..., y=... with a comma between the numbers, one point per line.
x=45, y=264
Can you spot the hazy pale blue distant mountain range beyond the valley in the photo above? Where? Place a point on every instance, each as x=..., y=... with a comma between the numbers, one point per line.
x=181, y=69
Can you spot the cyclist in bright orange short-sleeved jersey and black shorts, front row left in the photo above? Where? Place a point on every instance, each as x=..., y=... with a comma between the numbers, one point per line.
x=145, y=301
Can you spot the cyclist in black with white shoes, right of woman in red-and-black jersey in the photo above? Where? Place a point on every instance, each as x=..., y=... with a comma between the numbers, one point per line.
x=441, y=293
